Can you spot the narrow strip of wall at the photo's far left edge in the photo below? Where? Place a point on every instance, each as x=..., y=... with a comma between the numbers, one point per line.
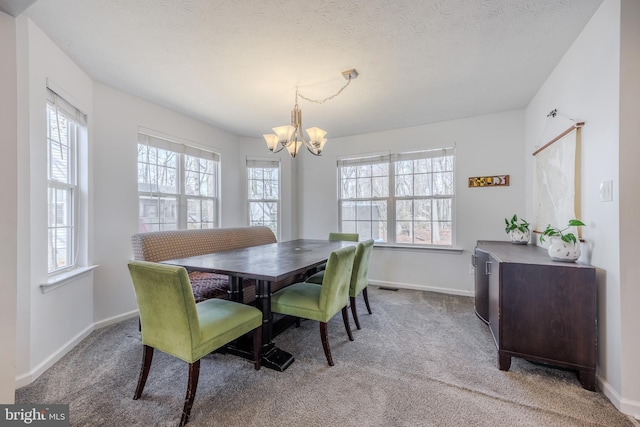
x=8, y=214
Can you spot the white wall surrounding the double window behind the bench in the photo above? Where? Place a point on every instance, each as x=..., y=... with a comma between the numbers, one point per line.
x=117, y=119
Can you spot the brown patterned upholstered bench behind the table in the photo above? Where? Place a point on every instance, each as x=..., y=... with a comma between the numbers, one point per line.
x=159, y=246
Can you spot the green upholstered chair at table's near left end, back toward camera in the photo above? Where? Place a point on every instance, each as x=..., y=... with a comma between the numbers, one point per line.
x=173, y=323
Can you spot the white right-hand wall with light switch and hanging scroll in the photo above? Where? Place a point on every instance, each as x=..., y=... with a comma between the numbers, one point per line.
x=585, y=86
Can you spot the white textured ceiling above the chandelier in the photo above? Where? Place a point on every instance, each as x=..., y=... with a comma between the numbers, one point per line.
x=236, y=64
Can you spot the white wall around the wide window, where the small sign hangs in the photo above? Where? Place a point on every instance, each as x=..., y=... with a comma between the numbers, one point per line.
x=487, y=145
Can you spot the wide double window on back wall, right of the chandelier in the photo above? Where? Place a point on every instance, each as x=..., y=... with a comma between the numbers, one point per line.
x=402, y=198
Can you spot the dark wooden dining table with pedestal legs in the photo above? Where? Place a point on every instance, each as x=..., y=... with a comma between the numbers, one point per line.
x=266, y=264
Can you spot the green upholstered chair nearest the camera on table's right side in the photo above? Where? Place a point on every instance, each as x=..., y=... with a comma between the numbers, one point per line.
x=321, y=303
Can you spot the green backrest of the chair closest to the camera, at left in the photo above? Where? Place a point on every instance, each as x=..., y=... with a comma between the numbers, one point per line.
x=168, y=316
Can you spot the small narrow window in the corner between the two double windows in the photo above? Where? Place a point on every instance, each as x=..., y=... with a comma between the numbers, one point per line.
x=263, y=189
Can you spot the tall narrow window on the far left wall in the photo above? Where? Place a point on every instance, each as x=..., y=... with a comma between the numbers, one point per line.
x=66, y=128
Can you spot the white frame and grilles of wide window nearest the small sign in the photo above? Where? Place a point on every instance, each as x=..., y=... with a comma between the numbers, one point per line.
x=390, y=198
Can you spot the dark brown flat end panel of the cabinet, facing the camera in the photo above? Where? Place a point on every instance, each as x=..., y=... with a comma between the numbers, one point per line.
x=549, y=312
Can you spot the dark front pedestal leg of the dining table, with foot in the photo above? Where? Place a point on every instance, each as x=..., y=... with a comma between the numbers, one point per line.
x=272, y=357
